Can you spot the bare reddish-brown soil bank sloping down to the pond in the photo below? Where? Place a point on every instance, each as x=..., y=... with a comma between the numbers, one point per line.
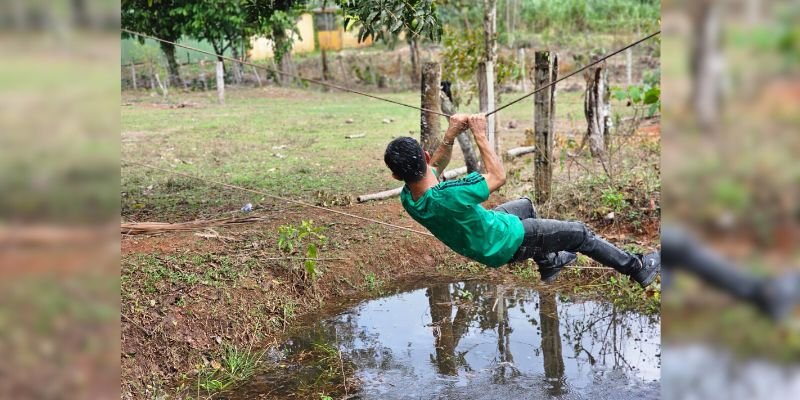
x=170, y=331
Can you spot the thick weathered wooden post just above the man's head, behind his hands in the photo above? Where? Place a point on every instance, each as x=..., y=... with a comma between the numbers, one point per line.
x=429, y=122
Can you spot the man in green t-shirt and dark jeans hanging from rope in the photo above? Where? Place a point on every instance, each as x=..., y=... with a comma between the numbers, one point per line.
x=511, y=232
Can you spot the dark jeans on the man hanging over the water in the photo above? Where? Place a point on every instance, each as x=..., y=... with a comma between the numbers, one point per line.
x=545, y=236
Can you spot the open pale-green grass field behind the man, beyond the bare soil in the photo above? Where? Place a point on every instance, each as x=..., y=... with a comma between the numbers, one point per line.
x=288, y=142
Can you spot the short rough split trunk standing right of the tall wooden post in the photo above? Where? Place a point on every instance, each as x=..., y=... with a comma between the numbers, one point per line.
x=595, y=108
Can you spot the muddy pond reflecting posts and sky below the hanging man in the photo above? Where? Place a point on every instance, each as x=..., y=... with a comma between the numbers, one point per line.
x=470, y=340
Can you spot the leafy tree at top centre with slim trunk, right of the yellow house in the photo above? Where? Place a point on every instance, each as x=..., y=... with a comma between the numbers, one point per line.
x=386, y=19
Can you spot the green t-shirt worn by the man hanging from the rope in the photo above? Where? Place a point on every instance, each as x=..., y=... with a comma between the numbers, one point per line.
x=453, y=213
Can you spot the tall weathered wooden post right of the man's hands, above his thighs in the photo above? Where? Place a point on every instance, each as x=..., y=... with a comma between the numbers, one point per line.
x=545, y=71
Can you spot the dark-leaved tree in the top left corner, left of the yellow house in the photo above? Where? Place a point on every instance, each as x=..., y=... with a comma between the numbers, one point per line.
x=159, y=18
